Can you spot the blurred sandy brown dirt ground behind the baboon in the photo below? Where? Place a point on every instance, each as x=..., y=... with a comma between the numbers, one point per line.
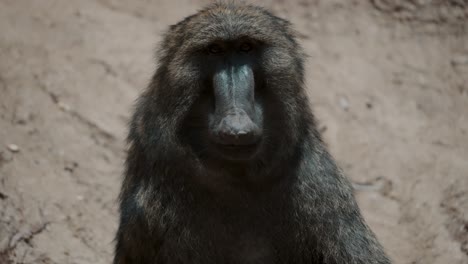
x=388, y=80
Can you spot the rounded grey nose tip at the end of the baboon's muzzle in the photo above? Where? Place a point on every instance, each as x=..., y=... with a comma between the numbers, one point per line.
x=236, y=128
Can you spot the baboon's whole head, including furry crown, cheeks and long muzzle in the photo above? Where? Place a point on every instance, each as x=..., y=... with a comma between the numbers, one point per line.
x=241, y=68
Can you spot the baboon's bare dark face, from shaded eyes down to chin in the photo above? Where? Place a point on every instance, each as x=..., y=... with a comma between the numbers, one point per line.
x=233, y=107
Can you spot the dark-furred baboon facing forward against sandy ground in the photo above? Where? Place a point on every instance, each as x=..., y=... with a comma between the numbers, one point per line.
x=225, y=164
